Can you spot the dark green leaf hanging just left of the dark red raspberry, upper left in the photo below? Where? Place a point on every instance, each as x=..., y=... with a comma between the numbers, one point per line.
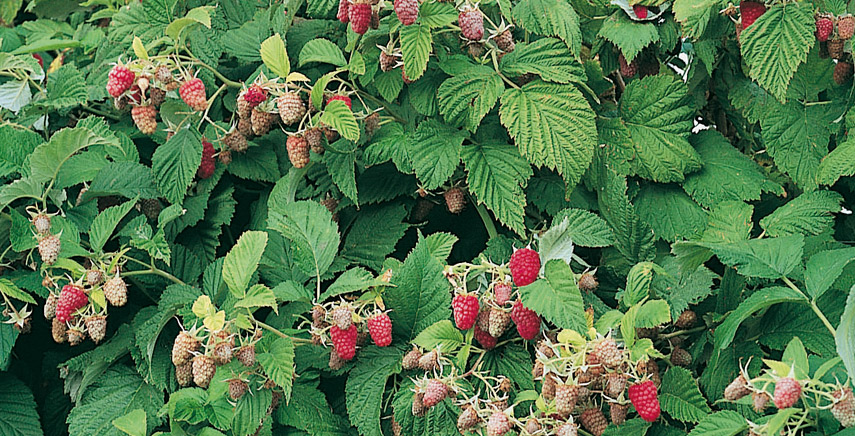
x=174, y=164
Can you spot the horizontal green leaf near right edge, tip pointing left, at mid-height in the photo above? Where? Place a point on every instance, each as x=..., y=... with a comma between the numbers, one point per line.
x=809, y=214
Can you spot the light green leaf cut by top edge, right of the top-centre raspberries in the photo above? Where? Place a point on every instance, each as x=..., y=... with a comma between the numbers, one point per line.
x=551, y=18
